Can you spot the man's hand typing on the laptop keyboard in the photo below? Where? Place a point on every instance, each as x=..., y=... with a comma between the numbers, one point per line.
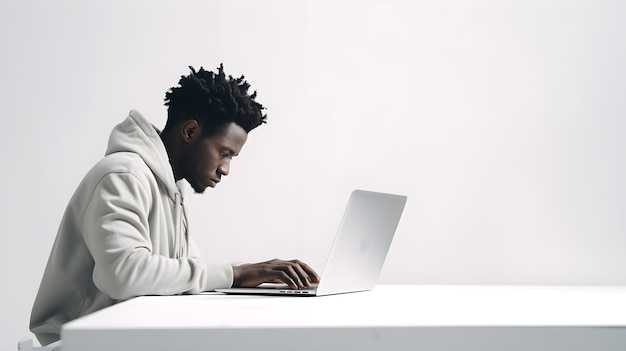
x=294, y=273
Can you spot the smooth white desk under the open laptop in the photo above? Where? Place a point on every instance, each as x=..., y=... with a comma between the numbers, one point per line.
x=404, y=317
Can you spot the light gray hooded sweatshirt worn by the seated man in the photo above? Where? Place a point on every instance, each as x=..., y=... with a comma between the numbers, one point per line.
x=124, y=234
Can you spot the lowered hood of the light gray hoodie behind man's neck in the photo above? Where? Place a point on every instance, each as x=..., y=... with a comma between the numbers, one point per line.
x=135, y=134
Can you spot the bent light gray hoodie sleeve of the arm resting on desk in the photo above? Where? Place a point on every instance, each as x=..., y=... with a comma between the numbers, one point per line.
x=116, y=231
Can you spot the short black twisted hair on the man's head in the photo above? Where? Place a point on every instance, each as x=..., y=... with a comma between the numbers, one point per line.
x=214, y=101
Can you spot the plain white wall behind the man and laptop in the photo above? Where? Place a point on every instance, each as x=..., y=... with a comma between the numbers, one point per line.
x=503, y=122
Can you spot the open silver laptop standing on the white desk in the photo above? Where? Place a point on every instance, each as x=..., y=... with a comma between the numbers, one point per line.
x=358, y=252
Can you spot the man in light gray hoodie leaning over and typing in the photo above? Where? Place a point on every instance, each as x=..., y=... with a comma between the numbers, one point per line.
x=124, y=232
